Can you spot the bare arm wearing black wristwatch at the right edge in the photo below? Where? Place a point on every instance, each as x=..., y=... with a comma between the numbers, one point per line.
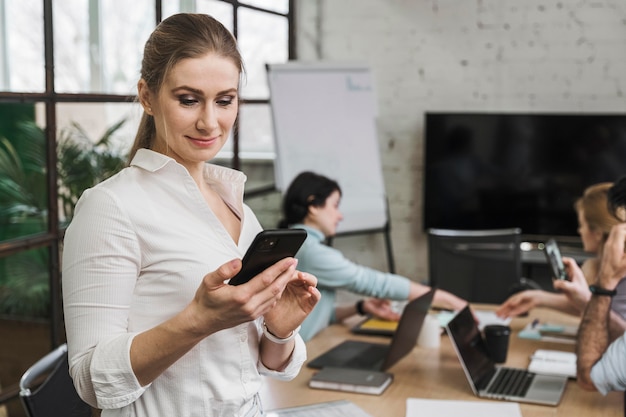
x=593, y=334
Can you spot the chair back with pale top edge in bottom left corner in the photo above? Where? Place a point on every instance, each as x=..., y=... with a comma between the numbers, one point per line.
x=55, y=396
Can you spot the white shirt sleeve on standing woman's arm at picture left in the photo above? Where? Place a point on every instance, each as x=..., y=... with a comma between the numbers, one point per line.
x=98, y=282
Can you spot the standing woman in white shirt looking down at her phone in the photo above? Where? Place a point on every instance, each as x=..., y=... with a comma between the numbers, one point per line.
x=153, y=328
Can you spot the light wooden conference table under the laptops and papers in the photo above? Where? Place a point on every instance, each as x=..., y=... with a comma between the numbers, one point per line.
x=437, y=374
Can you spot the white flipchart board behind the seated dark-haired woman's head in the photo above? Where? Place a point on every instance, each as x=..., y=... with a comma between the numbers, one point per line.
x=324, y=118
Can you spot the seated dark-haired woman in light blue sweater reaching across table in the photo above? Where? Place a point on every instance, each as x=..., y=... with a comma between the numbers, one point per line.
x=312, y=203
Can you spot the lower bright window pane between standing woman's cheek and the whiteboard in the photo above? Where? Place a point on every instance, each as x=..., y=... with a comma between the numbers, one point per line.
x=255, y=132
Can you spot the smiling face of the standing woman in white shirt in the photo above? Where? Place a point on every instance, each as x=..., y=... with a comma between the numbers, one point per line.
x=195, y=109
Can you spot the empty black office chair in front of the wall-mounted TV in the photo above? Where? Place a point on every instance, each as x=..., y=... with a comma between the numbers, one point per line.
x=481, y=266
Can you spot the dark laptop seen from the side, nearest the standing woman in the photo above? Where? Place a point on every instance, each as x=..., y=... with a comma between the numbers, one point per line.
x=380, y=356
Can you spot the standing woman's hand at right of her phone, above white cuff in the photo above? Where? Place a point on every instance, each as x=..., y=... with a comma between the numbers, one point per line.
x=297, y=301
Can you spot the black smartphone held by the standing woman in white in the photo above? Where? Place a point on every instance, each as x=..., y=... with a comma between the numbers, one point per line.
x=267, y=248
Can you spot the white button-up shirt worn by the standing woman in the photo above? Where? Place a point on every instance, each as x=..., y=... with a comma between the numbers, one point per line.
x=134, y=255
